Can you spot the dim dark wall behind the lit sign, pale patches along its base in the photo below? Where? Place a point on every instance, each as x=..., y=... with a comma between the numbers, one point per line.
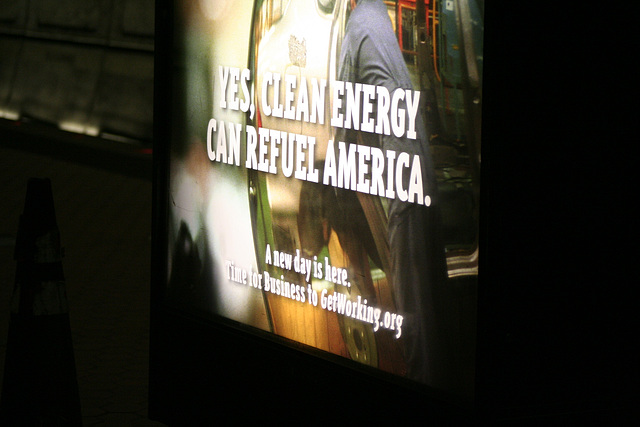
x=85, y=67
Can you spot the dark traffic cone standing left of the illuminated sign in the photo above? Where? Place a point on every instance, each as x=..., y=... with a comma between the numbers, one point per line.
x=39, y=386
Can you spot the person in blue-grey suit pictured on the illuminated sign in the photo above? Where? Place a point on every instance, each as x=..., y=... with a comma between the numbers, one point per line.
x=370, y=55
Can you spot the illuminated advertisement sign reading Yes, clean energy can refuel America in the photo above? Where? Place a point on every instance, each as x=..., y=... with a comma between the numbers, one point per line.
x=323, y=177
